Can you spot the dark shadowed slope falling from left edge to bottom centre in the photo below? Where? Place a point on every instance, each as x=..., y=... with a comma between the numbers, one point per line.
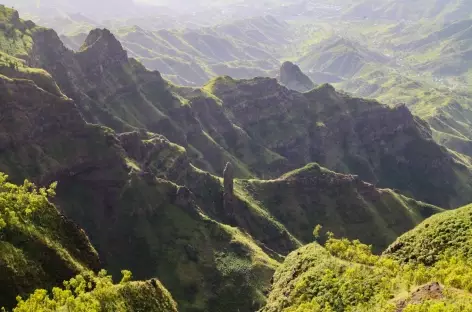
x=101, y=187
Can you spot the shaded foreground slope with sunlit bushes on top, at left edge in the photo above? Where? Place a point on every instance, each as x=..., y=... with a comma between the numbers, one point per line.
x=39, y=247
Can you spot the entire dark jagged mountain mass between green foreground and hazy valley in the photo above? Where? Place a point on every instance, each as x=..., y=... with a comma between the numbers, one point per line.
x=138, y=164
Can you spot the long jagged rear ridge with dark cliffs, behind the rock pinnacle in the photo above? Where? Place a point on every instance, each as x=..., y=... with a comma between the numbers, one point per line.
x=259, y=126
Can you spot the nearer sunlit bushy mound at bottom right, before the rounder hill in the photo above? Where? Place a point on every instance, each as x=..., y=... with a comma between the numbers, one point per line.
x=346, y=276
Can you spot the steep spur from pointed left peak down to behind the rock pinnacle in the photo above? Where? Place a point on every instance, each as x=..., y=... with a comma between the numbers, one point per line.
x=103, y=81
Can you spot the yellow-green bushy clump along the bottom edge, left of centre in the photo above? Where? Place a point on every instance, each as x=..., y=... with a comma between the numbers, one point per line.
x=95, y=293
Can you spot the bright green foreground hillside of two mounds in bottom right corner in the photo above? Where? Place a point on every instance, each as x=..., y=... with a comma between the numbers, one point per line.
x=425, y=269
